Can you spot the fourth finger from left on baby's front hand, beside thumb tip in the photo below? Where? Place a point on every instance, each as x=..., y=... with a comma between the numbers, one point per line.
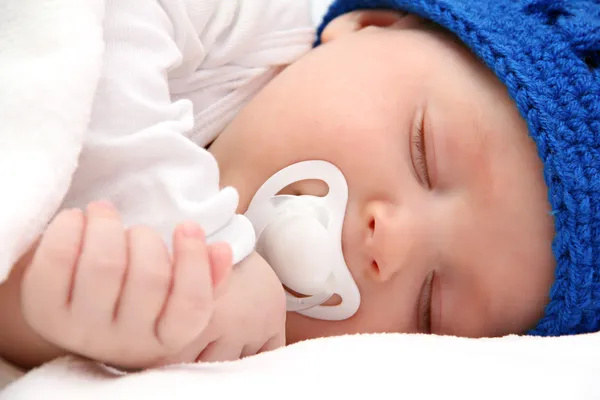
x=190, y=303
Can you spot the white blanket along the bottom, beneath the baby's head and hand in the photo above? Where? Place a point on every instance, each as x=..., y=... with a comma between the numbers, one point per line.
x=361, y=367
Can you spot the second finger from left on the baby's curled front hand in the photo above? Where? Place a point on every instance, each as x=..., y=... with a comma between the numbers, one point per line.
x=101, y=268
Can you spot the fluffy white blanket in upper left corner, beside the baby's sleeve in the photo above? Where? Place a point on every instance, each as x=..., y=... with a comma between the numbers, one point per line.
x=50, y=59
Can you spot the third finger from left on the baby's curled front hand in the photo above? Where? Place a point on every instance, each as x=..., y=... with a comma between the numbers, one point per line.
x=149, y=277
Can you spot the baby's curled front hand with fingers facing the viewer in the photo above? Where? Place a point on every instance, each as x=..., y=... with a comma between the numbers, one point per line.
x=114, y=295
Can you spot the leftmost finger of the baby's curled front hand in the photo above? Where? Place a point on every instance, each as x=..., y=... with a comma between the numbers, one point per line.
x=47, y=281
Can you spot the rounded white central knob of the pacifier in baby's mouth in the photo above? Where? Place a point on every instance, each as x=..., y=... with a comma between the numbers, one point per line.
x=304, y=269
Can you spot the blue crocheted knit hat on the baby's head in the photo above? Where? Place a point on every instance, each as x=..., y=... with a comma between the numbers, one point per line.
x=547, y=53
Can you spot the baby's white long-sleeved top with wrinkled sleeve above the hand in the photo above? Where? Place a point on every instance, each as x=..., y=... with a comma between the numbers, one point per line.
x=175, y=73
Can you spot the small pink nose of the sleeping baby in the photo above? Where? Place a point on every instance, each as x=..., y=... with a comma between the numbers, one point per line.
x=391, y=238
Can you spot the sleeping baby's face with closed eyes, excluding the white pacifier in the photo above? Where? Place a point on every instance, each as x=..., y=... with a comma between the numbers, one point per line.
x=448, y=227
